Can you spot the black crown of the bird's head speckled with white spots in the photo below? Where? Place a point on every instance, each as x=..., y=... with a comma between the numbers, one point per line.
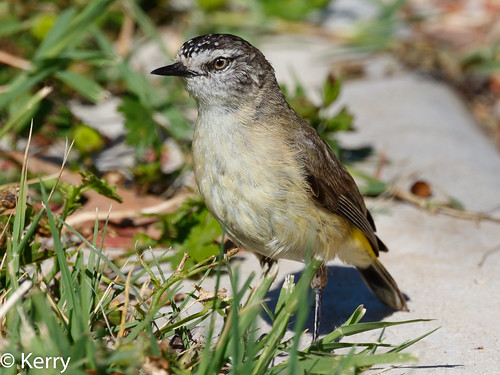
x=213, y=42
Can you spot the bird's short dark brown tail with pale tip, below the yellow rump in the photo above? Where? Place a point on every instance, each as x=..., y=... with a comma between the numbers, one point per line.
x=383, y=285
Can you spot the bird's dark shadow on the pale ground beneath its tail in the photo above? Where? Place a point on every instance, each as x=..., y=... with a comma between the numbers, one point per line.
x=344, y=292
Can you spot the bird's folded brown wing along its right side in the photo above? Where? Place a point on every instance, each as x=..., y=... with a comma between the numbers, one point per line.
x=331, y=185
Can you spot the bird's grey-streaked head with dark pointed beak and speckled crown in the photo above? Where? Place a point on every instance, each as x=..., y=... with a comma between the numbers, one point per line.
x=222, y=69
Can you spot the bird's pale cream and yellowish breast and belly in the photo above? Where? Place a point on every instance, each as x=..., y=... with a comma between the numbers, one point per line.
x=252, y=183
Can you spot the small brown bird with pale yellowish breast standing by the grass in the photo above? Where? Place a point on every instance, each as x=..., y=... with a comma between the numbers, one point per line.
x=267, y=175
